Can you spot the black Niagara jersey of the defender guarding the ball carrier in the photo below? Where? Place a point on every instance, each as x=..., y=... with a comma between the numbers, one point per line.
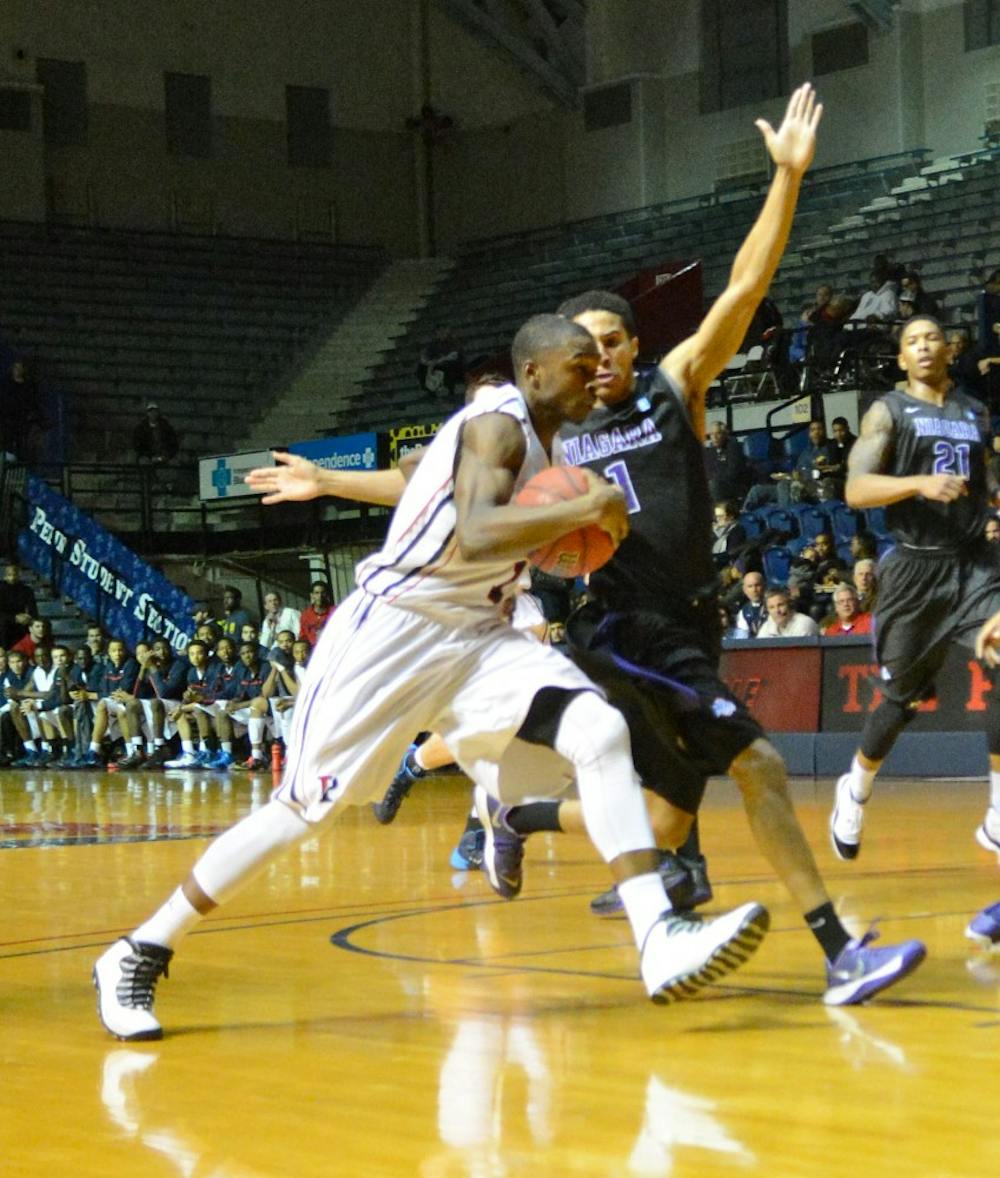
x=646, y=445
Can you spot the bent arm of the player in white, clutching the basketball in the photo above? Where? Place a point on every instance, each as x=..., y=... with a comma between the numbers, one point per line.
x=489, y=526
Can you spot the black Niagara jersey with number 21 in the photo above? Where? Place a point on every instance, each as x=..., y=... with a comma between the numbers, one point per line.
x=932, y=440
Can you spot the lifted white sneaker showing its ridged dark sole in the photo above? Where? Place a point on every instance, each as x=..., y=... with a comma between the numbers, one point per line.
x=684, y=954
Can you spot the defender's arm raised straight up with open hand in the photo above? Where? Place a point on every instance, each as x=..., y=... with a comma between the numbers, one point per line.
x=697, y=362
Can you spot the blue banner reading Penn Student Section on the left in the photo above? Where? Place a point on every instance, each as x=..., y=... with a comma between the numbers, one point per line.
x=105, y=579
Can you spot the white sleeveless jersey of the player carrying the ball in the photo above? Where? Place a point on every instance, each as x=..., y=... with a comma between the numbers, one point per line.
x=420, y=566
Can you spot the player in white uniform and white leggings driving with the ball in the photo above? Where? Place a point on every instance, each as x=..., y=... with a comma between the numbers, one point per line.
x=423, y=645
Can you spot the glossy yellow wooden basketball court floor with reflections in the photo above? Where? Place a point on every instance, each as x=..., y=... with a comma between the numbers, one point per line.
x=363, y=1010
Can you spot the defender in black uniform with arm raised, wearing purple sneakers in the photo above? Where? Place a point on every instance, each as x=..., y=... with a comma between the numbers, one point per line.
x=652, y=638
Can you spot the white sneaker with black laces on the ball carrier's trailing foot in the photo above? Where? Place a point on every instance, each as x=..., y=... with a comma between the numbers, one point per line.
x=125, y=978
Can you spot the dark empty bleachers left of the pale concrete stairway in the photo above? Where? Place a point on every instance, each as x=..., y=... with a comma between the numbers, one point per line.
x=204, y=326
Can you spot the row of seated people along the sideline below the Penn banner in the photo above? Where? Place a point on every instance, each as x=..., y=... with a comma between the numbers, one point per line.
x=217, y=706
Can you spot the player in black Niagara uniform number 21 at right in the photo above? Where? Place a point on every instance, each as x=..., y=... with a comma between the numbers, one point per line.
x=923, y=454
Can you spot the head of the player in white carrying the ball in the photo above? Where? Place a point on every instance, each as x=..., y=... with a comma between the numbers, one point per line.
x=555, y=362
